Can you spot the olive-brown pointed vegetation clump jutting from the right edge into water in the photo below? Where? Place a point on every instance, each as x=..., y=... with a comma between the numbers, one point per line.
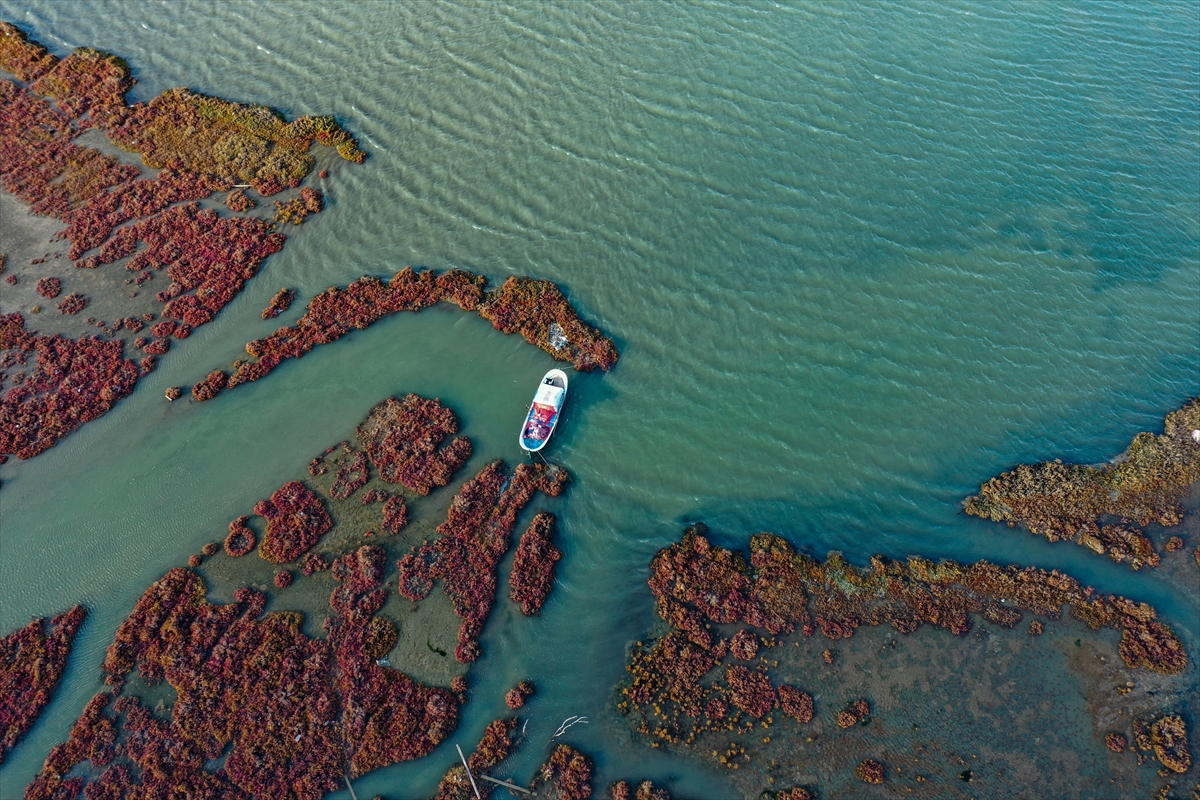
x=1070, y=502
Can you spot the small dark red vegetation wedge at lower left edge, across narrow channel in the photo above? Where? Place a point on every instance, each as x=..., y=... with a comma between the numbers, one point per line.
x=32, y=663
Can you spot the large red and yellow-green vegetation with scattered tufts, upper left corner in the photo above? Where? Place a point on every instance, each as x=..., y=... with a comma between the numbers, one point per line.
x=200, y=143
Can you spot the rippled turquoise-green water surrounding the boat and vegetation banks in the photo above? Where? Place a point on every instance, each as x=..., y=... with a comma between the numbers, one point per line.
x=857, y=258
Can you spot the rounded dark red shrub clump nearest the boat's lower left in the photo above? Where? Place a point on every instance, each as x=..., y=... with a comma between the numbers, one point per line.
x=403, y=440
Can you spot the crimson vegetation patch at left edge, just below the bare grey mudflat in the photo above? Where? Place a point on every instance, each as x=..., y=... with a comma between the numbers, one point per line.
x=75, y=382
